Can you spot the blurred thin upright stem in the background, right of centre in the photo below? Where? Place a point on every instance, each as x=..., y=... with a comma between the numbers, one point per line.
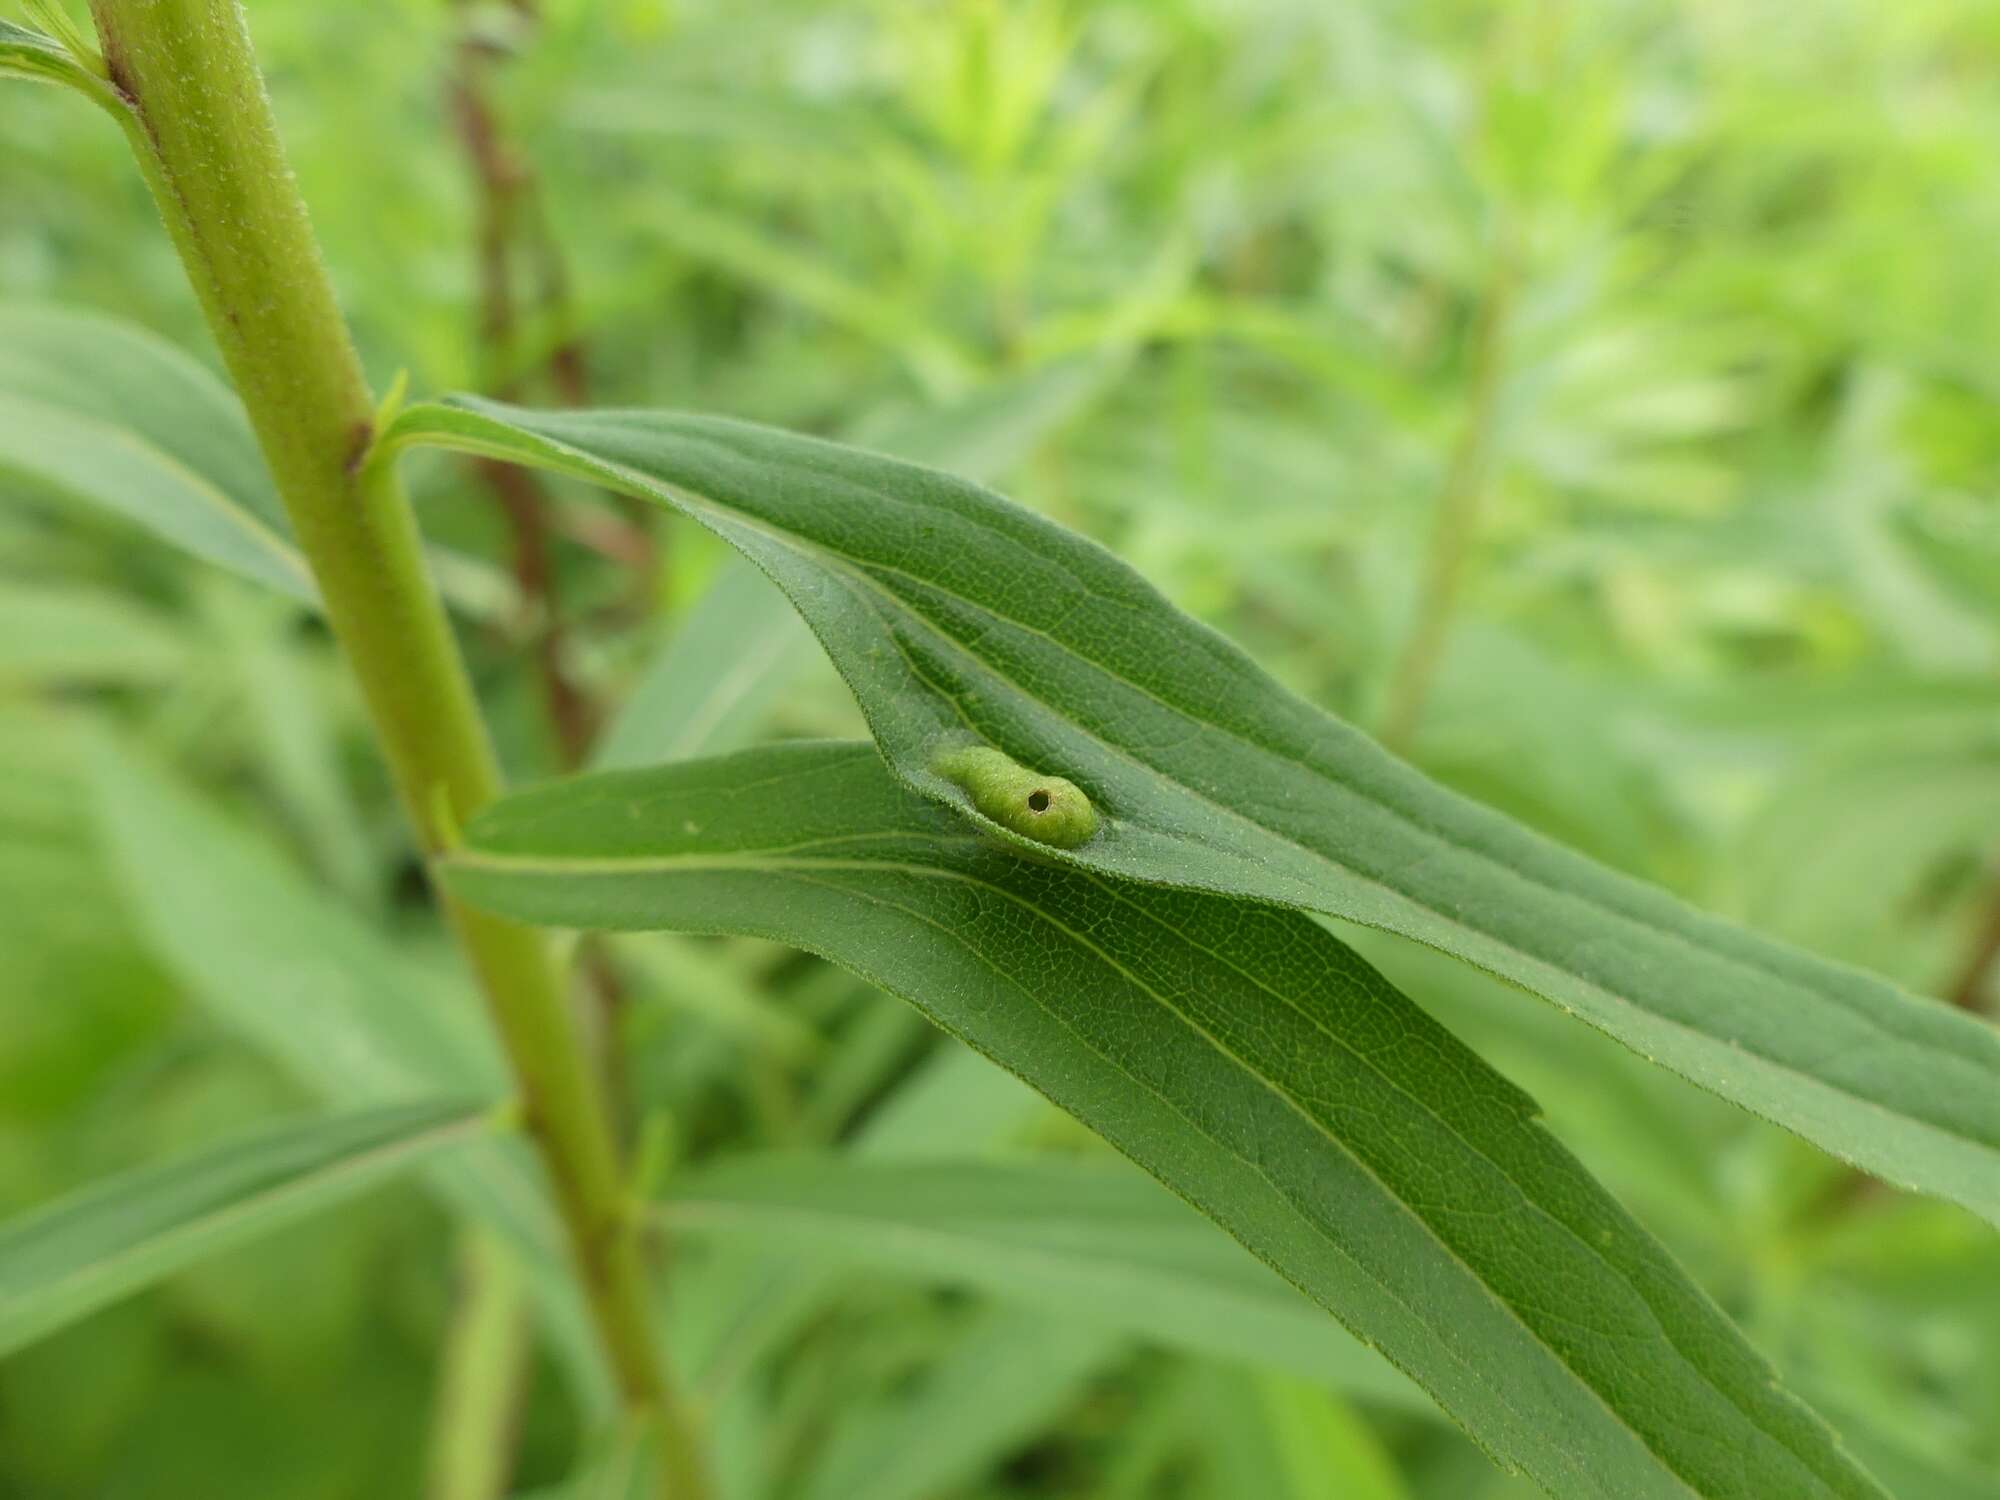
x=1459, y=511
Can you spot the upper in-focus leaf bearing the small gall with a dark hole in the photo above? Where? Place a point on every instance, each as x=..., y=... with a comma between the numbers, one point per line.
x=959, y=617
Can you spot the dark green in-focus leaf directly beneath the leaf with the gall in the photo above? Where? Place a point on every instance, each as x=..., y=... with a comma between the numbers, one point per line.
x=1241, y=1055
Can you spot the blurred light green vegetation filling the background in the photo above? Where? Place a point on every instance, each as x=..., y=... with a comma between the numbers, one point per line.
x=1593, y=399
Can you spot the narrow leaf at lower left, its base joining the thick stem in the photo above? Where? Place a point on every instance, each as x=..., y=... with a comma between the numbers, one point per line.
x=123, y=1235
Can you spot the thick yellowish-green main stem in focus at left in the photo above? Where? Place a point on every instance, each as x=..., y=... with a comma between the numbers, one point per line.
x=203, y=131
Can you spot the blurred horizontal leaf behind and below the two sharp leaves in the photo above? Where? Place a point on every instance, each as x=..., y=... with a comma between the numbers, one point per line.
x=1095, y=1241
